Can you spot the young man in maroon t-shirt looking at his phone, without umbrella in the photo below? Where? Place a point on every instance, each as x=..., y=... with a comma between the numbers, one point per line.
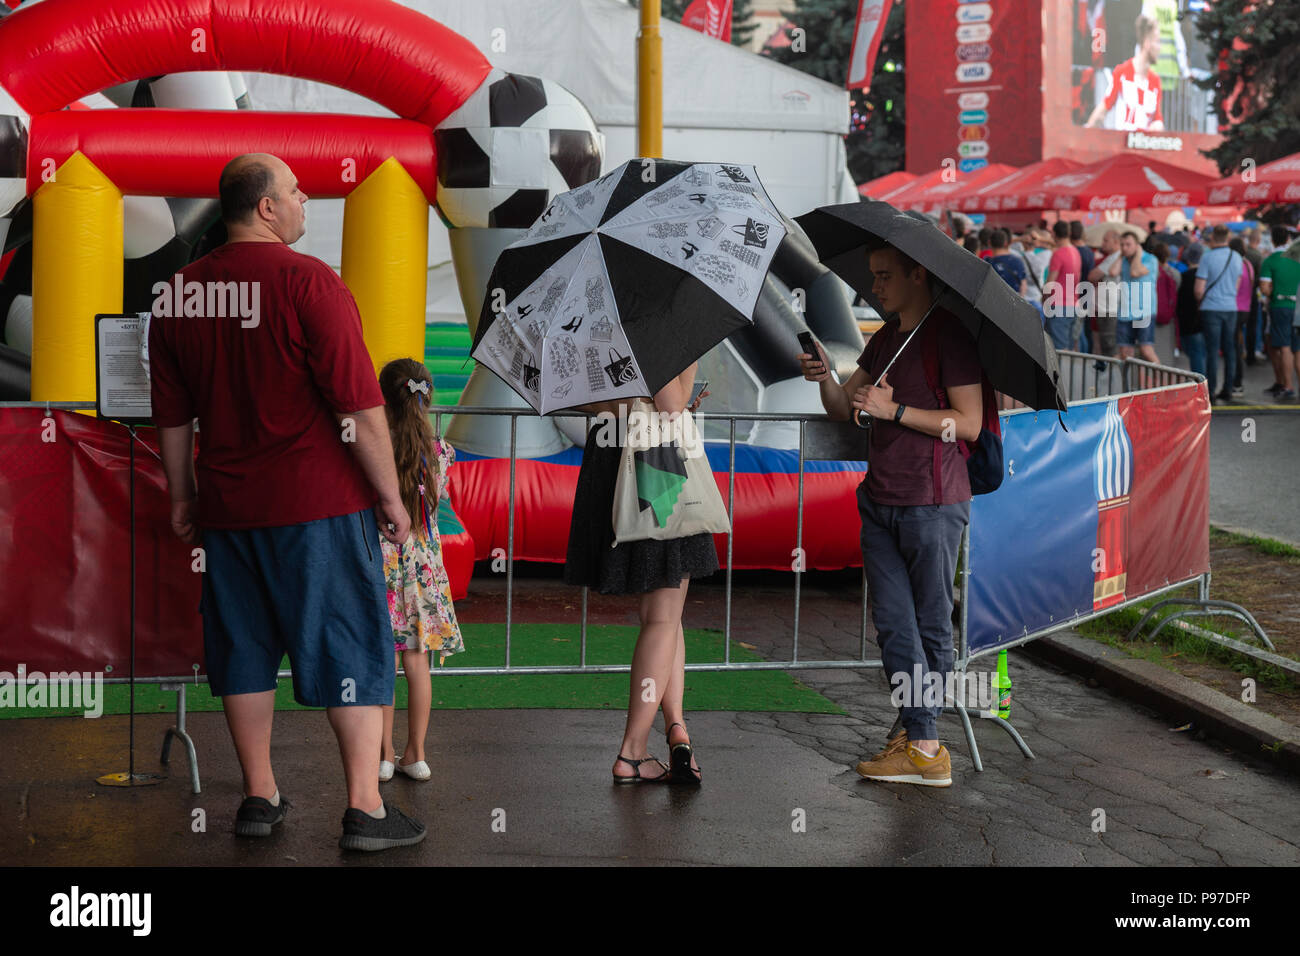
x=912, y=517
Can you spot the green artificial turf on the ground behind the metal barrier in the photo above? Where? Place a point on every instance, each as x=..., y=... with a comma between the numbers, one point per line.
x=534, y=646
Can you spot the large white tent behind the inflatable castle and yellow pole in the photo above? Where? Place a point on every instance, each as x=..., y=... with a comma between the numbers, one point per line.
x=721, y=103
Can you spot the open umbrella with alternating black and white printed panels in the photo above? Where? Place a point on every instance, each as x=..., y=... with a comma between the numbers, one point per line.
x=626, y=282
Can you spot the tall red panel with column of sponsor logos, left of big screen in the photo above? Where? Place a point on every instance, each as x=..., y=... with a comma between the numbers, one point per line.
x=978, y=84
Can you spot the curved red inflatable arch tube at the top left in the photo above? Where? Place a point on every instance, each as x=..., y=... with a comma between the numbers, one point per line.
x=55, y=54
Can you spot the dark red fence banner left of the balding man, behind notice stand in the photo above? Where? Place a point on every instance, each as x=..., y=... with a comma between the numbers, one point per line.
x=66, y=569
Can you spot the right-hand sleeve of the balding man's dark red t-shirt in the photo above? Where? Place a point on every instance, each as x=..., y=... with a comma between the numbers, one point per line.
x=336, y=353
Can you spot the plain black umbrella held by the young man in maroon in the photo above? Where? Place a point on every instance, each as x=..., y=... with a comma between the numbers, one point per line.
x=1015, y=351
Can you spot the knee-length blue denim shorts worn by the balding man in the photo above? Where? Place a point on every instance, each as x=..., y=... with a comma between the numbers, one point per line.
x=314, y=591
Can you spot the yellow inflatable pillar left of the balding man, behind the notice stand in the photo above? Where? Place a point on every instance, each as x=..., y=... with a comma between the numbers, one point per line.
x=76, y=272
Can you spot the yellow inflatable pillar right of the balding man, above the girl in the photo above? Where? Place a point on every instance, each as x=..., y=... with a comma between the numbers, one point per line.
x=387, y=261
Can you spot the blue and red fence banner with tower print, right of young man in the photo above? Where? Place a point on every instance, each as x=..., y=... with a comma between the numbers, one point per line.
x=1086, y=520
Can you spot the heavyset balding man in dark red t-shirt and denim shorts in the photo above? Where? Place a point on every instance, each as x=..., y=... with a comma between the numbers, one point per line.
x=263, y=347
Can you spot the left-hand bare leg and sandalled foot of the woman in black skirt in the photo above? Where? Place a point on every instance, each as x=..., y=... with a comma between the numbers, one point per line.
x=652, y=673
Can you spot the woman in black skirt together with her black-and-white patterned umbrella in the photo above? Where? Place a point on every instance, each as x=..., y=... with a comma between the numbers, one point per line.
x=613, y=296
